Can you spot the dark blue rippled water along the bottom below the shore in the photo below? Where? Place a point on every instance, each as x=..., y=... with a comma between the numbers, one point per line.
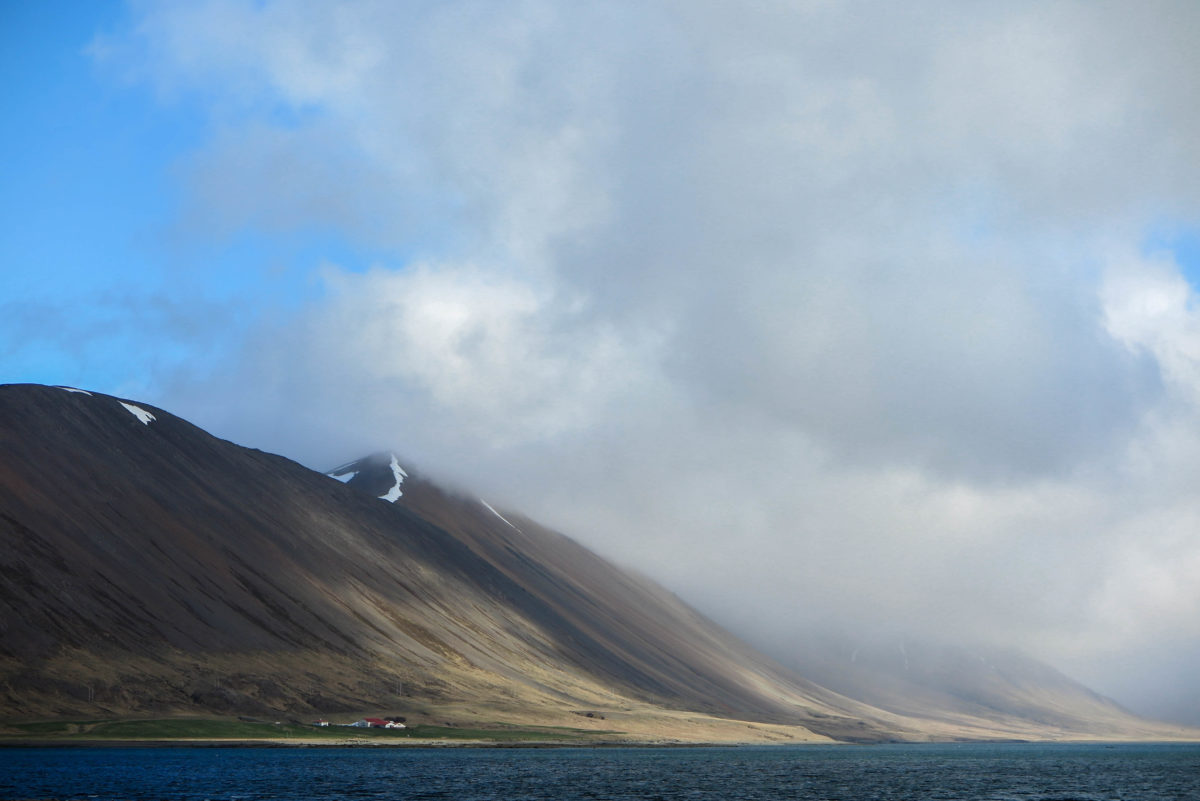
x=952, y=773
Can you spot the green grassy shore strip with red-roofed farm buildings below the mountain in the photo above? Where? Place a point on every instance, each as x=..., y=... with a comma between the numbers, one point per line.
x=185, y=728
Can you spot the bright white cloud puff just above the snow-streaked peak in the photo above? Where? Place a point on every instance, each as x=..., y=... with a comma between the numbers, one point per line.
x=479, y=351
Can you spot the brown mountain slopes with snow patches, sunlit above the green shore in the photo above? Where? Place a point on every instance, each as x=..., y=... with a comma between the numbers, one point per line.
x=152, y=568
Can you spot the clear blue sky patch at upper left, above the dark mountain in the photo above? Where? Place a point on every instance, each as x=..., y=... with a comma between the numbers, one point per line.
x=92, y=209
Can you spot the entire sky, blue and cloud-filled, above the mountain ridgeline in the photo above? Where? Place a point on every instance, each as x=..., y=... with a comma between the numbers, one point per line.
x=915, y=285
